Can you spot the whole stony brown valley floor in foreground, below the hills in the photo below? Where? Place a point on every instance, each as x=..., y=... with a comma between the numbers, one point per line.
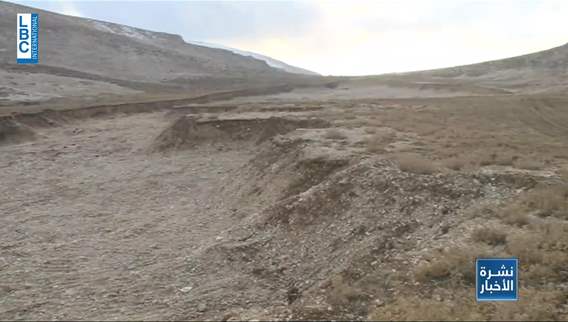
x=298, y=205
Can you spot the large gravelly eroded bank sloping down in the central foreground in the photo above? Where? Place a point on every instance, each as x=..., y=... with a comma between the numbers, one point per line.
x=333, y=246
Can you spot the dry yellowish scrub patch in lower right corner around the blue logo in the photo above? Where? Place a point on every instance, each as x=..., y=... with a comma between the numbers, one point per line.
x=541, y=246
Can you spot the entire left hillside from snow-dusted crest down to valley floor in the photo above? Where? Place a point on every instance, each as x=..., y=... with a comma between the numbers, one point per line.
x=84, y=58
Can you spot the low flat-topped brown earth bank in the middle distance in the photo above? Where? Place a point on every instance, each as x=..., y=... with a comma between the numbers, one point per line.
x=191, y=131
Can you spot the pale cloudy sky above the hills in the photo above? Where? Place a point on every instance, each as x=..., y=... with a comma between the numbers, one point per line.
x=356, y=37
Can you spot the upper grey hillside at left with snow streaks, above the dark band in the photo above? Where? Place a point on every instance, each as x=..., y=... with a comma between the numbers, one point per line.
x=123, y=52
